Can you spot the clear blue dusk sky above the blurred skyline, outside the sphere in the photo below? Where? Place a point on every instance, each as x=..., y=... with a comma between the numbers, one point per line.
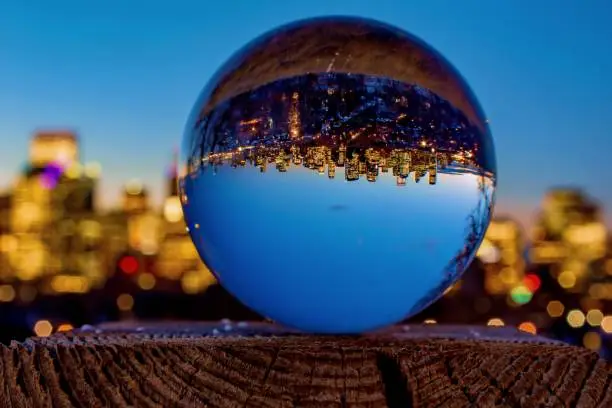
x=125, y=74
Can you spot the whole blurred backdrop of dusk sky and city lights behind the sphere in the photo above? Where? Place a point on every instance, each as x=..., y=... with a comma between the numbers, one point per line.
x=105, y=90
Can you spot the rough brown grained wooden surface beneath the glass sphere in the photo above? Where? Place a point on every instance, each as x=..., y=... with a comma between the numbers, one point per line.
x=238, y=364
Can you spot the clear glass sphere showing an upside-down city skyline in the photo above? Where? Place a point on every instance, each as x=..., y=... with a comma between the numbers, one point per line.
x=337, y=175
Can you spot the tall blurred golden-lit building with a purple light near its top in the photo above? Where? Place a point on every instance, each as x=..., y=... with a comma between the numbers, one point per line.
x=52, y=216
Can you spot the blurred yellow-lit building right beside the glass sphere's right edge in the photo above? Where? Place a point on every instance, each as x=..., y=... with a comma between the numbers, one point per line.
x=500, y=251
